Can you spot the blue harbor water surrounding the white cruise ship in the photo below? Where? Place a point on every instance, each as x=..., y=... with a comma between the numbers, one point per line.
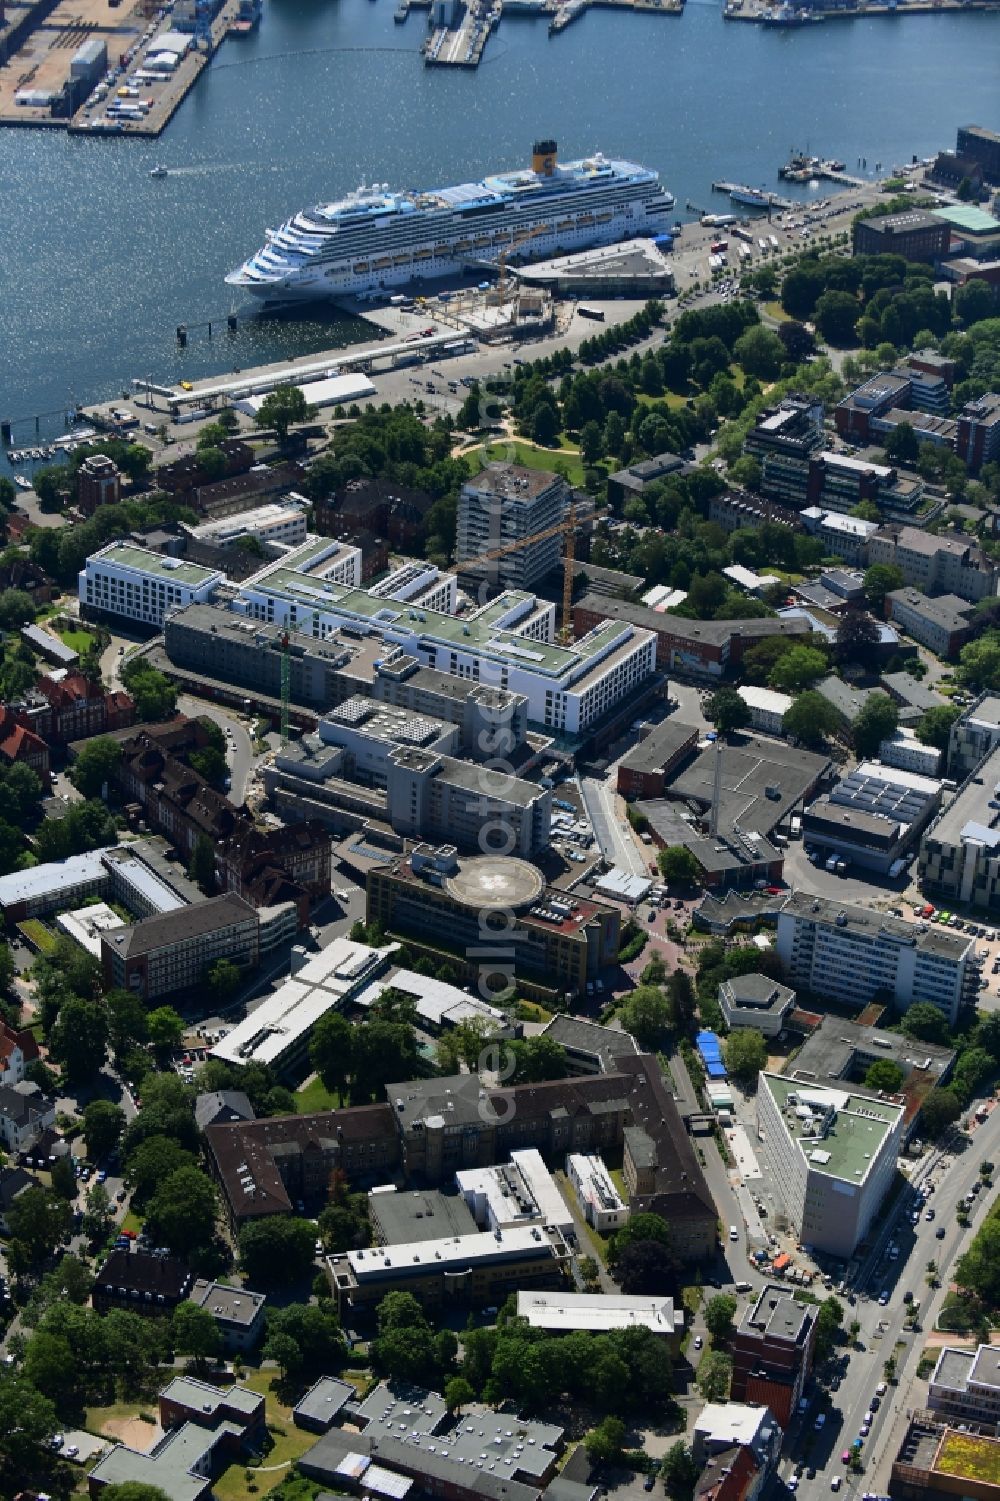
x=101, y=262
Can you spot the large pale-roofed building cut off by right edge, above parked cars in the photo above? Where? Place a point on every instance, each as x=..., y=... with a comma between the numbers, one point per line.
x=960, y=852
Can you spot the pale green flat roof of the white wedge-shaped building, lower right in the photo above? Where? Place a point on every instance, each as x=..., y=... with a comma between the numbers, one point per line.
x=852, y=1128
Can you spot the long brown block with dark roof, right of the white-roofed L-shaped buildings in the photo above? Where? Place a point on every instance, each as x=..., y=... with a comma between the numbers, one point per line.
x=173, y=951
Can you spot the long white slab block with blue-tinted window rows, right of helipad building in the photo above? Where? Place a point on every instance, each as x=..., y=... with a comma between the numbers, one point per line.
x=855, y=954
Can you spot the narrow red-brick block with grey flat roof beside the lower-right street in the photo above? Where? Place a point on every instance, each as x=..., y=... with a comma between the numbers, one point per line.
x=773, y=1352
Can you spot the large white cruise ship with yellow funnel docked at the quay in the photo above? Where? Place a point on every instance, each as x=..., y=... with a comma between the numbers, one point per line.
x=378, y=239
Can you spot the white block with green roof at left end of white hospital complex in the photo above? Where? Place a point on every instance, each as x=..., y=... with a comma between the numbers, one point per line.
x=136, y=585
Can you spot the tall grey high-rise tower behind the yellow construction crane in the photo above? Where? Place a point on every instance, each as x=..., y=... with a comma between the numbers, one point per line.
x=507, y=504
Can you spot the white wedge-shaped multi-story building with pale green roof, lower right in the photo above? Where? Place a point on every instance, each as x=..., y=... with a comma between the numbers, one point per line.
x=834, y=1157
